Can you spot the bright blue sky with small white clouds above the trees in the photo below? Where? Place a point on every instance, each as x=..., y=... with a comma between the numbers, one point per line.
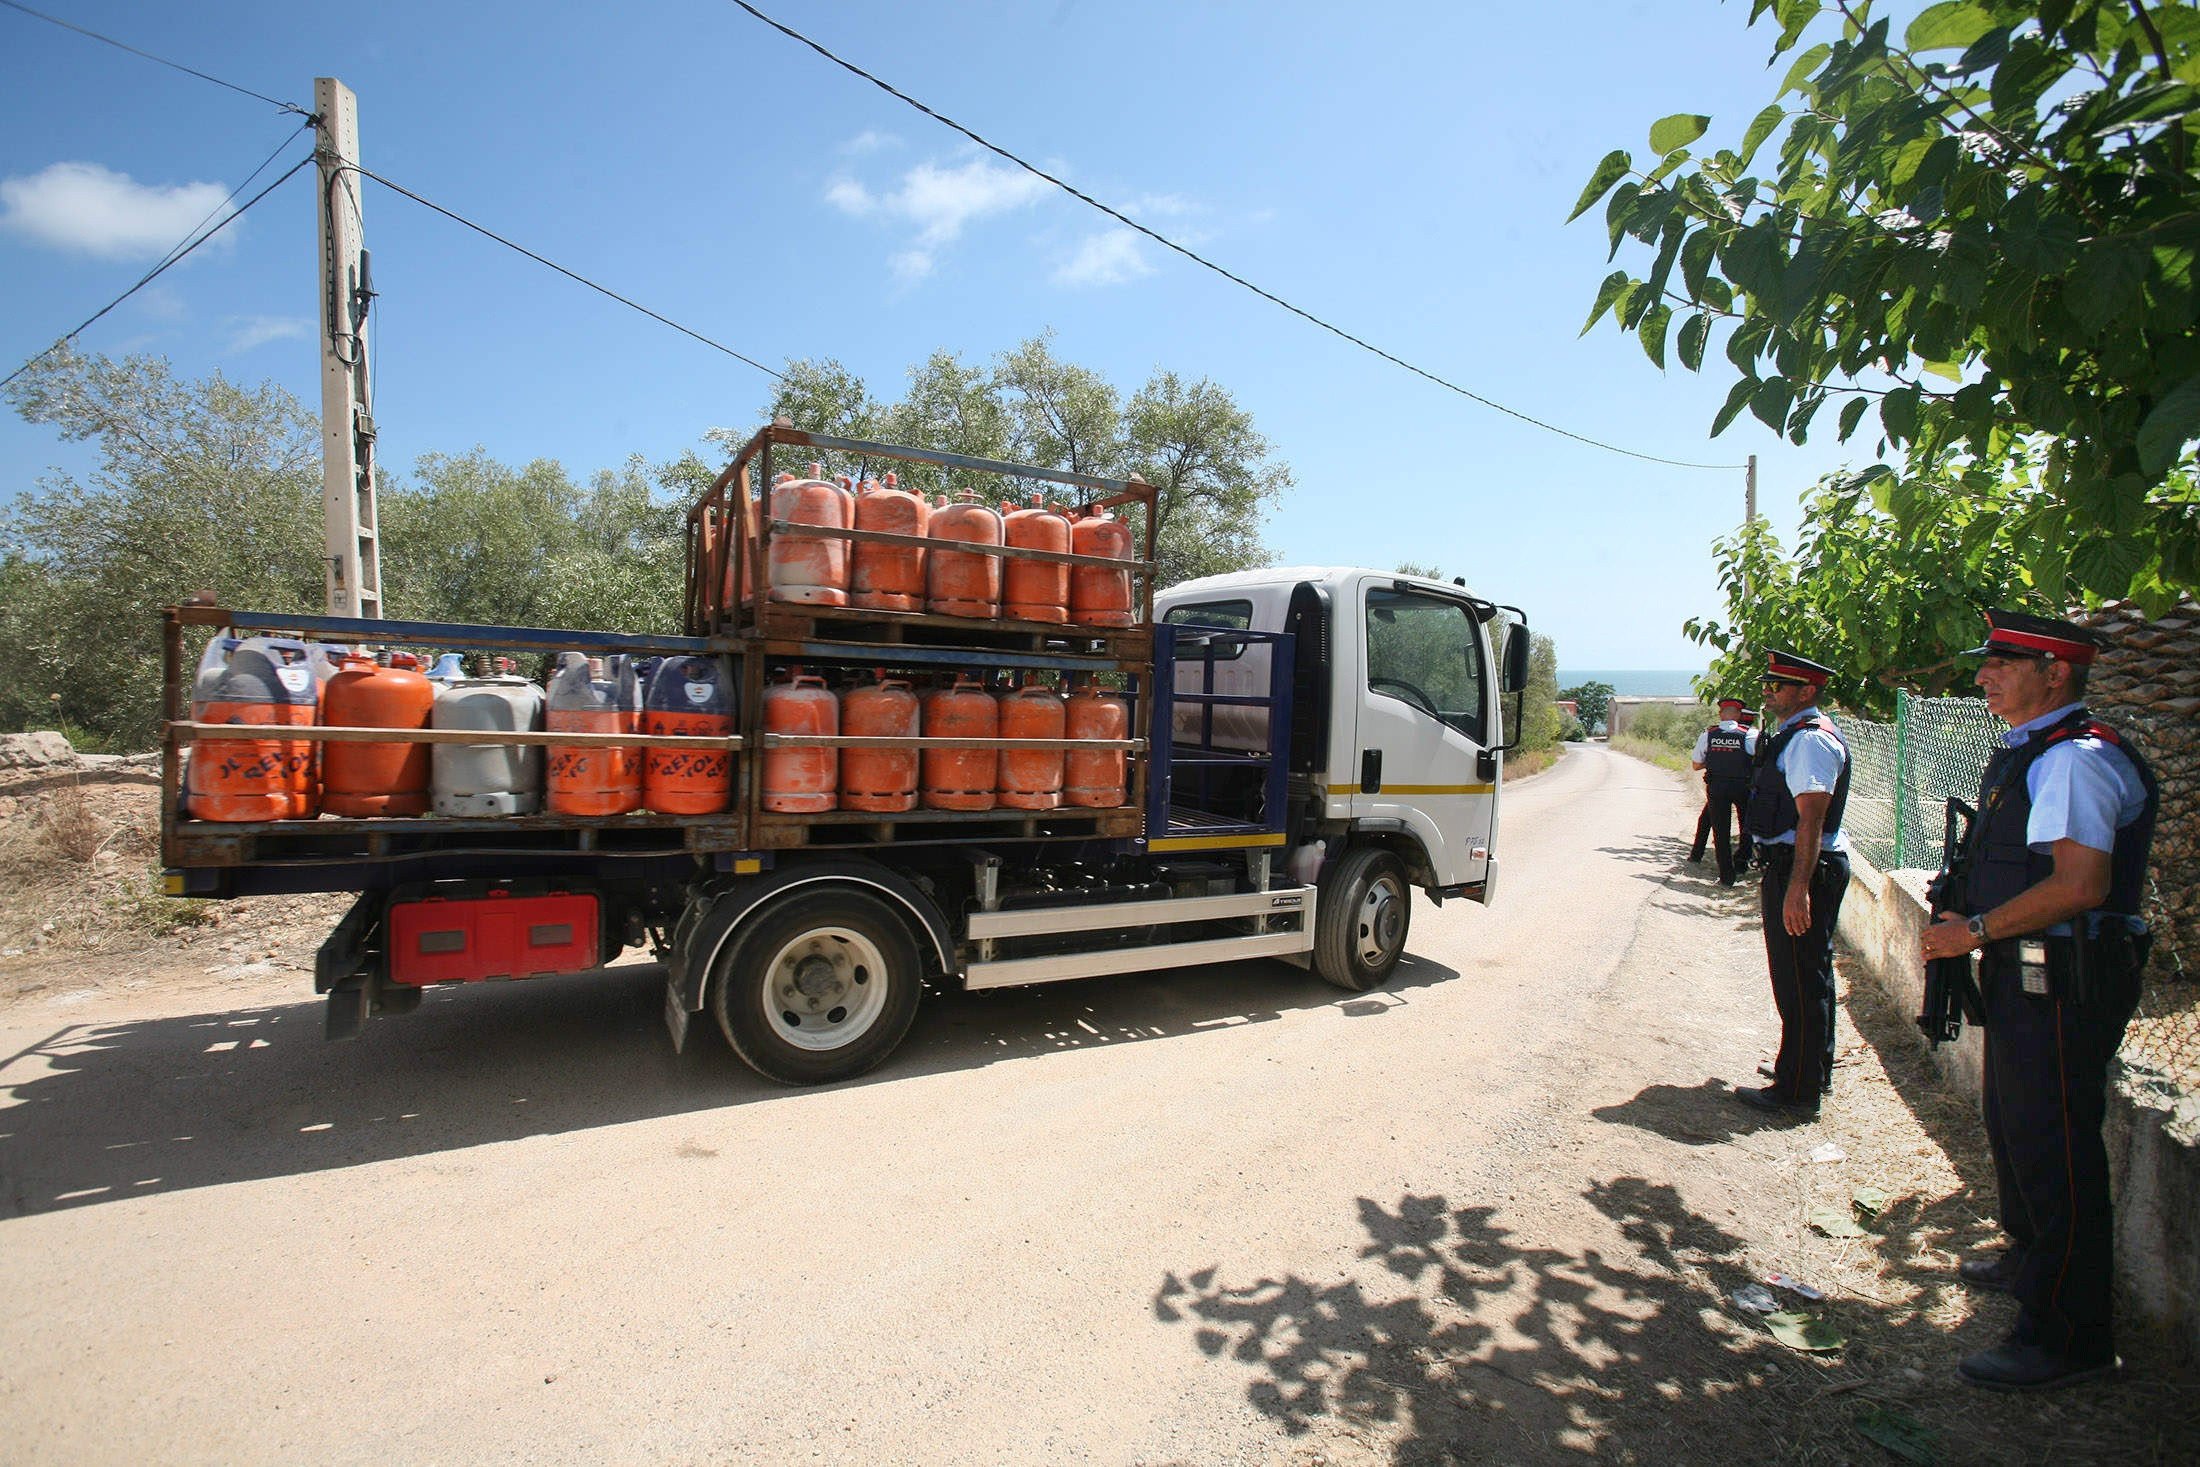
x=1402, y=170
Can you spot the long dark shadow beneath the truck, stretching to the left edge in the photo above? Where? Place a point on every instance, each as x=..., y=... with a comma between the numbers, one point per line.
x=104, y=1112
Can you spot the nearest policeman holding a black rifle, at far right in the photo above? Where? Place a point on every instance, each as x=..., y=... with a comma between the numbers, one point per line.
x=2051, y=907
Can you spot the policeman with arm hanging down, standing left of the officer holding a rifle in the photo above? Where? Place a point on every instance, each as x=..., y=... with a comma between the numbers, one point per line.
x=1796, y=808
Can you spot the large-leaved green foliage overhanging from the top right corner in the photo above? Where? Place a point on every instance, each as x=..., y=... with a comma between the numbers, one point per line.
x=1981, y=232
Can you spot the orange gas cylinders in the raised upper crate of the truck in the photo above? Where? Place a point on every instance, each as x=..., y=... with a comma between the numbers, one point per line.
x=938, y=577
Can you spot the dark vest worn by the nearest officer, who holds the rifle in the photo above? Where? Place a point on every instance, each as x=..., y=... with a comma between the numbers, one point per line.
x=2001, y=857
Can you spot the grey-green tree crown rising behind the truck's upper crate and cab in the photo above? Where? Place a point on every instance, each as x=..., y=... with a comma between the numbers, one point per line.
x=1215, y=474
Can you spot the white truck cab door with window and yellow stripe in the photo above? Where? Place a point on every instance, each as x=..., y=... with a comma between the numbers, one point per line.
x=1422, y=727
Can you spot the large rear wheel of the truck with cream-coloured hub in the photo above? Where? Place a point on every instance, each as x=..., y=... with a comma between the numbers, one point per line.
x=819, y=989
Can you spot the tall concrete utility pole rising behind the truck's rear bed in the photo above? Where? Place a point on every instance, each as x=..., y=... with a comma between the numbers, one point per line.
x=355, y=560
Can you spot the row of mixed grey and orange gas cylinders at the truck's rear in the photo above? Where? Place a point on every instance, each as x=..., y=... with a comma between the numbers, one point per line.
x=269, y=685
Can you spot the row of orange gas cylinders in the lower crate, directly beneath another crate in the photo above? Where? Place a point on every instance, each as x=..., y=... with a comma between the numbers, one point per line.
x=811, y=780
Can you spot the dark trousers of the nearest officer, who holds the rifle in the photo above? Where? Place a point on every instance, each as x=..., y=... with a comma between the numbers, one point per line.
x=2045, y=1099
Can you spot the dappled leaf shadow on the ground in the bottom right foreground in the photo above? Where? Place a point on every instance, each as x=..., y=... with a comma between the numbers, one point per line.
x=1457, y=1341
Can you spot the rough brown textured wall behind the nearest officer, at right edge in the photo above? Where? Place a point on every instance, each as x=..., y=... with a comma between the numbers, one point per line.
x=2148, y=685
